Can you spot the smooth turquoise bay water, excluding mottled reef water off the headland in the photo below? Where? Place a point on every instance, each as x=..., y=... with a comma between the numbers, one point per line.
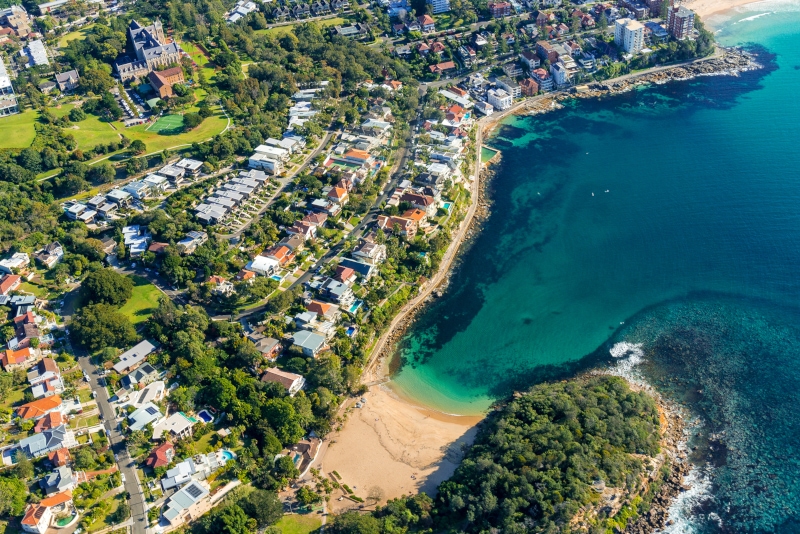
x=610, y=206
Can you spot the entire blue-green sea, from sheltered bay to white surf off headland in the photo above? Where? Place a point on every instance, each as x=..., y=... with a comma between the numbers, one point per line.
x=669, y=217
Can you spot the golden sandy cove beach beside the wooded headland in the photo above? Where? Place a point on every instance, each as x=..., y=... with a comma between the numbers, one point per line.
x=395, y=446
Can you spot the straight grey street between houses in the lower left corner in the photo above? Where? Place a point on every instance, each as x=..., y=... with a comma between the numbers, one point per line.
x=117, y=441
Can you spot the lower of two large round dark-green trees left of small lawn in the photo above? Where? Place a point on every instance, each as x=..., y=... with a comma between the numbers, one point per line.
x=97, y=326
